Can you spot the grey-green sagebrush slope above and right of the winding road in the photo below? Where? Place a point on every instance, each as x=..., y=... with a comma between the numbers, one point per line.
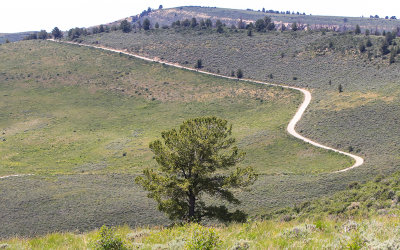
x=361, y=119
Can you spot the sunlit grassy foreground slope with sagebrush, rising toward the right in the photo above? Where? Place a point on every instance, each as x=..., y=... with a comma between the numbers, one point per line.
x=364, y=216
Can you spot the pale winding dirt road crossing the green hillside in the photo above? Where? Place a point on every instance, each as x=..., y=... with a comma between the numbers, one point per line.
x=292, y=124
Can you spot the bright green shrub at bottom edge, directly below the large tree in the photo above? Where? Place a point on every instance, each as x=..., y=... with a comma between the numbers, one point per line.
x=202, y=238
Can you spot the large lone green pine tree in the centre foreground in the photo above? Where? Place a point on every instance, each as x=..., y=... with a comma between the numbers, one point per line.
x=190, y=161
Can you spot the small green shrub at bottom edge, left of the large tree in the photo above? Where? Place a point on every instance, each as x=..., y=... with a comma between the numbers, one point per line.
x=107, y=239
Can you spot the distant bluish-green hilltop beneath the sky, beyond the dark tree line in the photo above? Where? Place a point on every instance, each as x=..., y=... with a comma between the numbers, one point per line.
x=232, y=16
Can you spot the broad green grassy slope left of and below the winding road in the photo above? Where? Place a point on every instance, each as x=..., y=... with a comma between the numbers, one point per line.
x=80, y=120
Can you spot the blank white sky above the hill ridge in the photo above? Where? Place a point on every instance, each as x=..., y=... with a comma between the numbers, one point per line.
x=29, y=15
